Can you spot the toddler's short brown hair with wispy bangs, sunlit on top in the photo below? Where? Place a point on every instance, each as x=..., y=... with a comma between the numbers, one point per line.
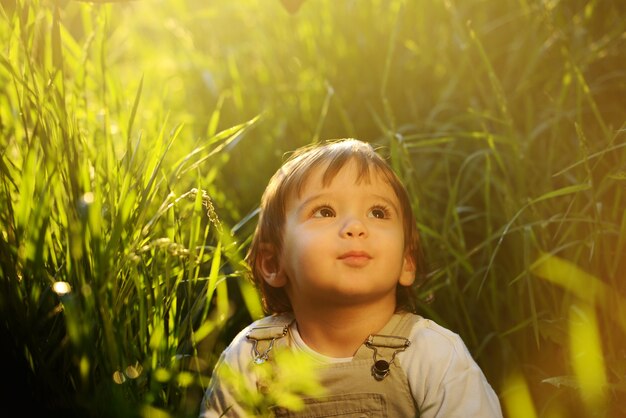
x=291, y=177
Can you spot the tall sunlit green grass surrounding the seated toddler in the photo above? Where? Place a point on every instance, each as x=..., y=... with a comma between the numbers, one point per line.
x=137, y=138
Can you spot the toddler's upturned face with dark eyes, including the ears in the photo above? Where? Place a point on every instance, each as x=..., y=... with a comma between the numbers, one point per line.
x=344, y=243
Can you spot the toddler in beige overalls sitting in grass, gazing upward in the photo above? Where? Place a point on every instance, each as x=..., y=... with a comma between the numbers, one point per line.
x=335, y=254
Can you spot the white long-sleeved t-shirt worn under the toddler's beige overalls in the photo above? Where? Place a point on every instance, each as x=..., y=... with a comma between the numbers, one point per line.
x=444, y=379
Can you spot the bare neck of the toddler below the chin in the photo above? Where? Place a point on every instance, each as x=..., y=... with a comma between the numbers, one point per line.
x=340, y=331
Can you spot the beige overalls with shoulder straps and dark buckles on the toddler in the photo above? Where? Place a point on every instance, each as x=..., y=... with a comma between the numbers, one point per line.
x=371, y=385
